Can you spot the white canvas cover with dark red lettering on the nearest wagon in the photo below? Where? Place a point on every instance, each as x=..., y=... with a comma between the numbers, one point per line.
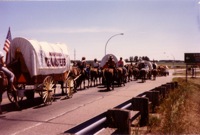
x=41, y=58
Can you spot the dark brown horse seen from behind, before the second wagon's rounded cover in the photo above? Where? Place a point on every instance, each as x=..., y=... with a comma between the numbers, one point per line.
x=108, y=74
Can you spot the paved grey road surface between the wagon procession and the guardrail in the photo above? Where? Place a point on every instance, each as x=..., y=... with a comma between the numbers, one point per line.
x=64, y=114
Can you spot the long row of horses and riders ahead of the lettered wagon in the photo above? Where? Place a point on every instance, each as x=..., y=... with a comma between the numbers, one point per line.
x=109, y=77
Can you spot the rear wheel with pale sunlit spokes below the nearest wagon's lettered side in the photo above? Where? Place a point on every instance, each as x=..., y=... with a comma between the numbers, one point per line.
x=47, y=92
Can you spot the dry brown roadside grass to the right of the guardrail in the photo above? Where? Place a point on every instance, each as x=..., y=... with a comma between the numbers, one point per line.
x=179, y=113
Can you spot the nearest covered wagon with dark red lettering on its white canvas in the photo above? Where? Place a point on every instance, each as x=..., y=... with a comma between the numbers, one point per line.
x=38, y=66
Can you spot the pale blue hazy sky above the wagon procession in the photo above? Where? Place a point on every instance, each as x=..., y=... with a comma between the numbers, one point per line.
x=159, y=29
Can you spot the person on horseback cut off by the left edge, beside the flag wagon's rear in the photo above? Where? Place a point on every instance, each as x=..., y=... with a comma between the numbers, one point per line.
x=8, y=73
